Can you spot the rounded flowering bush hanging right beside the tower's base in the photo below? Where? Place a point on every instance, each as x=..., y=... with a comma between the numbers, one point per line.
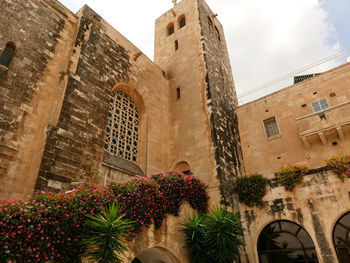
x=251, y=189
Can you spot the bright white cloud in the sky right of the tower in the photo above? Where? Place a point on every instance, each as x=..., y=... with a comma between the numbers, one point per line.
x=268, y=39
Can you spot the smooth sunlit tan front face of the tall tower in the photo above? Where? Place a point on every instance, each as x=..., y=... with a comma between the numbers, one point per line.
x=189, y=126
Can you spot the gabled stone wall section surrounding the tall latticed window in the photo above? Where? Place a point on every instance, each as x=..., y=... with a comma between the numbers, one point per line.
x=102, y=61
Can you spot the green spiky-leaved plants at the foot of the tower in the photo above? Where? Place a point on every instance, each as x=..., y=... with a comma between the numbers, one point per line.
x=214, y=237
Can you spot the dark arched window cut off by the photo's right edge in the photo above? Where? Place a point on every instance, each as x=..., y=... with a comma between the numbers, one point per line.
x=341, y=238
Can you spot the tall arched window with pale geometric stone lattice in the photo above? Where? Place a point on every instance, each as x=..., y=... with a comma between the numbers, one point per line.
x=122, y=132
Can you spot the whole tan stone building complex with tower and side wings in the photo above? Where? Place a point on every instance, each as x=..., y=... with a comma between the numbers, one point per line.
x=80, y=103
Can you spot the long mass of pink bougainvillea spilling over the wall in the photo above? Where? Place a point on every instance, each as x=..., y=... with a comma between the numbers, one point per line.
x=51, y=226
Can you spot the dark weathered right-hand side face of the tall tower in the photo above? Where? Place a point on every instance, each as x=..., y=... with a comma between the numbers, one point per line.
x=221, y=101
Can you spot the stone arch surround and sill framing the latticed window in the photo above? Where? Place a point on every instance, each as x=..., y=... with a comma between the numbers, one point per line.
x=123, y=165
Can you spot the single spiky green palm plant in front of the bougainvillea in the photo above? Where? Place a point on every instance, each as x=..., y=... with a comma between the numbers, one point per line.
x=107, y=233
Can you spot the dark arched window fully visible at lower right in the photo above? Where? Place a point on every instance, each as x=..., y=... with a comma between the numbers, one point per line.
x=285, y=242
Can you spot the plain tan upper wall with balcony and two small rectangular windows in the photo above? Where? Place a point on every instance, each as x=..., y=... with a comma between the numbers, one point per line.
x=326, y=134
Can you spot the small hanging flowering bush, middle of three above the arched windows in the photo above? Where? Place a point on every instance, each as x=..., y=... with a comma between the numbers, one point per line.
x=291, y=175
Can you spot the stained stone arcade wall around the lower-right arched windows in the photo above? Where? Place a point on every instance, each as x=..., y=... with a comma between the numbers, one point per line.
x=316, y=205
